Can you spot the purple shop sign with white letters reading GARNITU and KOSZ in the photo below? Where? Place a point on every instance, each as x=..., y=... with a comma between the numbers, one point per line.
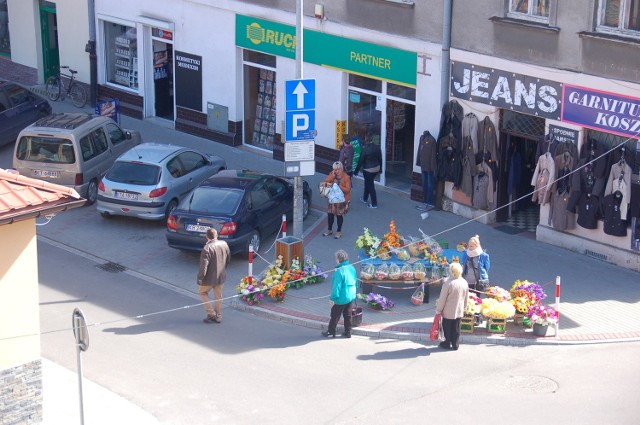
x=609, y=112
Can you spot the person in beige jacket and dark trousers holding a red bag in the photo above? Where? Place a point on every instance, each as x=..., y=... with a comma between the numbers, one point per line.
x=451, y=305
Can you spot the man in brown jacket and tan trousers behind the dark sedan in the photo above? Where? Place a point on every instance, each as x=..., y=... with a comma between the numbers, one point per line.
x=214, y=259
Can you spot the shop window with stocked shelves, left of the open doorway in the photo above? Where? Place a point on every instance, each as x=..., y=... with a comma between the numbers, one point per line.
x=121, y=54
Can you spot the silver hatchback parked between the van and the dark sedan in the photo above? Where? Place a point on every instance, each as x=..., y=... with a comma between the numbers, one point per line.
x=150, y=179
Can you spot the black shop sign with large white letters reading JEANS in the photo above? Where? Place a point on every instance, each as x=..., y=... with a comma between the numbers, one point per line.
x=506, y=90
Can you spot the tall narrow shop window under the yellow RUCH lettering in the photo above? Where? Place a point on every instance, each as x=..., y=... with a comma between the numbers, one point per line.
x=259, y=100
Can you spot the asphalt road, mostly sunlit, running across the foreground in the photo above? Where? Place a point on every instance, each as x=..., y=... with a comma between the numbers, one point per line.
x=148, y=345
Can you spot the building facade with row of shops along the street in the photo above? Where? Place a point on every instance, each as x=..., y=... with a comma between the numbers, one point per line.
x=531, y=72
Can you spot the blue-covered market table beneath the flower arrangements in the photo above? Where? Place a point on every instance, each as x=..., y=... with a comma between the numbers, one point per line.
x=434, y=273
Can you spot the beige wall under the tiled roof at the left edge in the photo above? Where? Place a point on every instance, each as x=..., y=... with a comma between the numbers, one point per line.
x=19, y=297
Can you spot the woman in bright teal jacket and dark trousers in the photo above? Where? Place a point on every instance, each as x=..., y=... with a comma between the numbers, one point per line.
x=343, y=293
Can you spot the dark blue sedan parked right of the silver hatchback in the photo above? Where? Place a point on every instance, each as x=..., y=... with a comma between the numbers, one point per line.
x=243, y=206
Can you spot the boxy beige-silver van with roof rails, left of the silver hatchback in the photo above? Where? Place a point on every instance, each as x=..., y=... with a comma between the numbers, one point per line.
x=72, y=149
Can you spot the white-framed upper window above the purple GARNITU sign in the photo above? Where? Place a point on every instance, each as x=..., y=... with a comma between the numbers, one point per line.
x=619, y=16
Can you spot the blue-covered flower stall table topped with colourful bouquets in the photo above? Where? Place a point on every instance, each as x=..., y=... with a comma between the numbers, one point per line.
x=398, y=262
